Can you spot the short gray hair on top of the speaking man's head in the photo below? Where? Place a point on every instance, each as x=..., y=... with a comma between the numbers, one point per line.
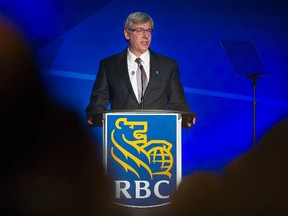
x=138, y=18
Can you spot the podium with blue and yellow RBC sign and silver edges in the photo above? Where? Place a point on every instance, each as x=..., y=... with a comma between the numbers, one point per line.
x=142, y=155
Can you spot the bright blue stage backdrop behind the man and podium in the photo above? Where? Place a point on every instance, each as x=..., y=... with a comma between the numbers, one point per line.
x=69, y=38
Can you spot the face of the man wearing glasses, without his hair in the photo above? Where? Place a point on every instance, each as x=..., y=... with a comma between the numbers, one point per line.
x=139, y=40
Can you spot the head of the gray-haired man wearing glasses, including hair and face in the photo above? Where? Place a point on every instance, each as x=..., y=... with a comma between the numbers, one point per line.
x=138, y=29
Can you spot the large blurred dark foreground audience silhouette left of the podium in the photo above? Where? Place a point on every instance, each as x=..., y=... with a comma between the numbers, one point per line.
x=48, y=163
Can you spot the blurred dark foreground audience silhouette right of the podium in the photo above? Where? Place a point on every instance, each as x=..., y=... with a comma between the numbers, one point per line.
x=255, y=183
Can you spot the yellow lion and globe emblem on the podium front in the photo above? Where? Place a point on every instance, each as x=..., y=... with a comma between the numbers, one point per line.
x=135, y=153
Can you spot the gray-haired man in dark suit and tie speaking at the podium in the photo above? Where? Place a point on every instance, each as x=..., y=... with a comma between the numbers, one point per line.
x=137, y=78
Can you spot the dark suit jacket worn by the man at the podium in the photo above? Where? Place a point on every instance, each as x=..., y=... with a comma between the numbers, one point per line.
x=112, y=85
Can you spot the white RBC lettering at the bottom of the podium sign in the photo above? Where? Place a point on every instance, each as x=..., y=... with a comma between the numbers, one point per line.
x=143, y=189
